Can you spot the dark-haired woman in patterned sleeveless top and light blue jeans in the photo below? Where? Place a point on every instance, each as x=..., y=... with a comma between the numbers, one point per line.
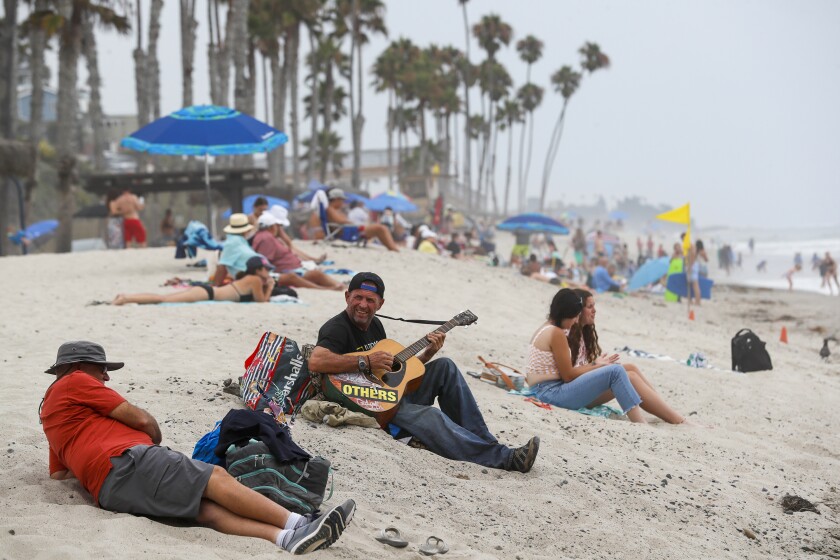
x=555, y=379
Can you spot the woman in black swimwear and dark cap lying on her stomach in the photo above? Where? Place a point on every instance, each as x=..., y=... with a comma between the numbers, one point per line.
x=256, y=285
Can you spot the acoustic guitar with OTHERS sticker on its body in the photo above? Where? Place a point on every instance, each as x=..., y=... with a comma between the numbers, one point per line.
x=378, y=394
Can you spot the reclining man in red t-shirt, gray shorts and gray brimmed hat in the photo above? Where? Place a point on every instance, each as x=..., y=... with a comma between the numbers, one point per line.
x=112, y=447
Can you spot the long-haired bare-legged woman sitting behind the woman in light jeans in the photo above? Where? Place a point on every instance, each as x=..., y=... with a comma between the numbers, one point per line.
x=583, y=340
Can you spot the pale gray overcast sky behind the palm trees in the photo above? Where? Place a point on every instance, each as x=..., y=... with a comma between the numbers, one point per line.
x=731, y=105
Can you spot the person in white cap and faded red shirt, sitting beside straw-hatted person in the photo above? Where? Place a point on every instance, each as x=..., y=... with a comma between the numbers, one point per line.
x=266, y=243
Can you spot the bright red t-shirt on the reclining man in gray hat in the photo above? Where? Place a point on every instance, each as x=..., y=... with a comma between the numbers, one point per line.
x=82, y=437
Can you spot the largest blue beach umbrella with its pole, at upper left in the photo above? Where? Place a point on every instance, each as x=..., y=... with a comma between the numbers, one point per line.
x=205, y=130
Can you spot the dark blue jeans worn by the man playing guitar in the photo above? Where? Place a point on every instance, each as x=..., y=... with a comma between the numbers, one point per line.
x=456, y=430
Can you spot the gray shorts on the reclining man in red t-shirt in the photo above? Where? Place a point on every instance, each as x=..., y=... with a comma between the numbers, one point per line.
x=154, y=480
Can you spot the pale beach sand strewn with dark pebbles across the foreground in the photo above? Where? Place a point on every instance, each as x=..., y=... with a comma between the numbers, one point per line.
x=600, y=488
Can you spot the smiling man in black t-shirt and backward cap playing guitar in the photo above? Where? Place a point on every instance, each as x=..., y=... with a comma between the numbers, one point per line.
x=457, y=430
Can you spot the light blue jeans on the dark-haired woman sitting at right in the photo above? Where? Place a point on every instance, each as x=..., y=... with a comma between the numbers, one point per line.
x=583, y=390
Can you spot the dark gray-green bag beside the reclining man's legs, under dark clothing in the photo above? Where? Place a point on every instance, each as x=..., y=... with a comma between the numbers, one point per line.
x=298, y=486
